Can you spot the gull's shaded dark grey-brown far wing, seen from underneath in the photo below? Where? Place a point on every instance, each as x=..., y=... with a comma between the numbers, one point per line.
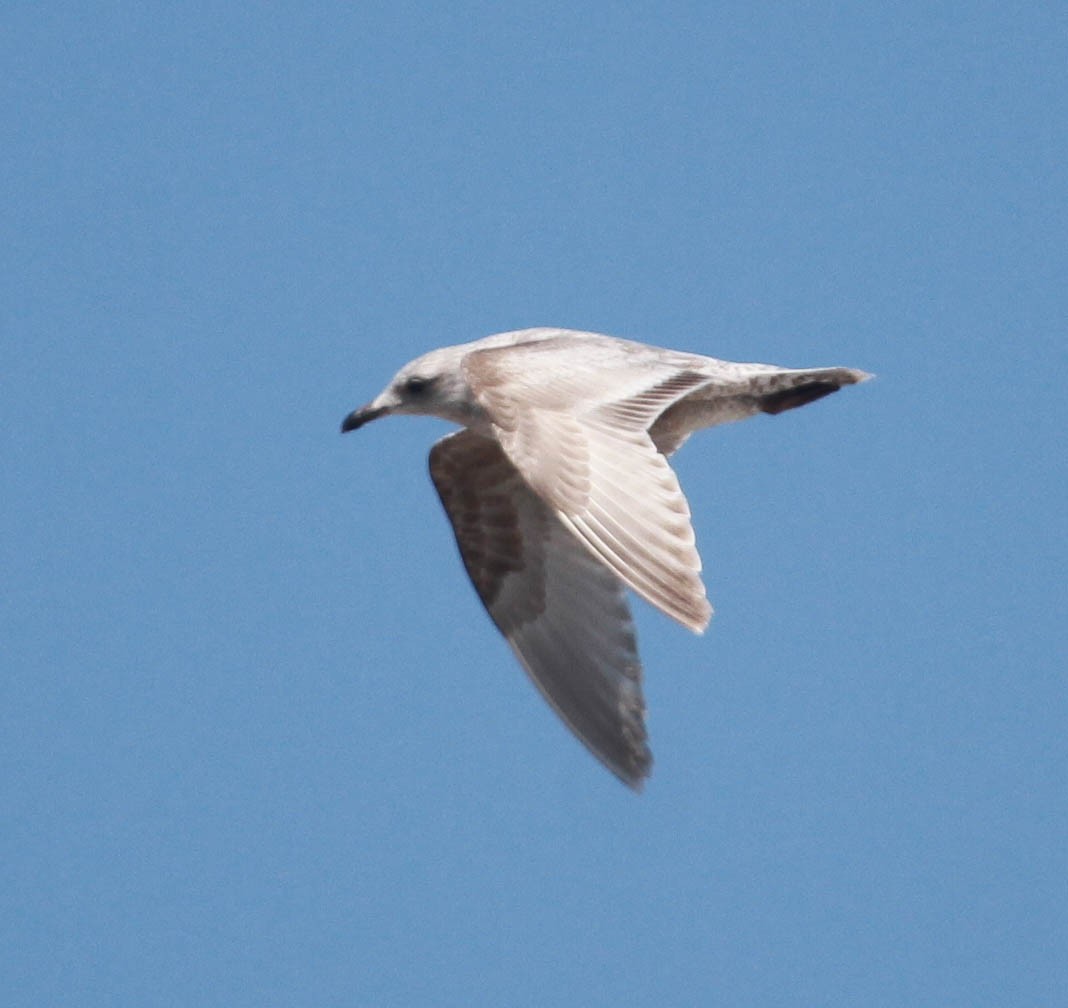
x=564, y=615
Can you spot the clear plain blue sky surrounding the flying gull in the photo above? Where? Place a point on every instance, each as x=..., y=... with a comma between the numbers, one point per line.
x=262, y=747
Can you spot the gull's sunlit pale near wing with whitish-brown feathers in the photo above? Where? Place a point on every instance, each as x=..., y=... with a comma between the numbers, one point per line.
x=575, y=426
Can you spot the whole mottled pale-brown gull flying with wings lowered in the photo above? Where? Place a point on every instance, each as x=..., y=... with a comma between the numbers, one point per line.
x=561, y=498
